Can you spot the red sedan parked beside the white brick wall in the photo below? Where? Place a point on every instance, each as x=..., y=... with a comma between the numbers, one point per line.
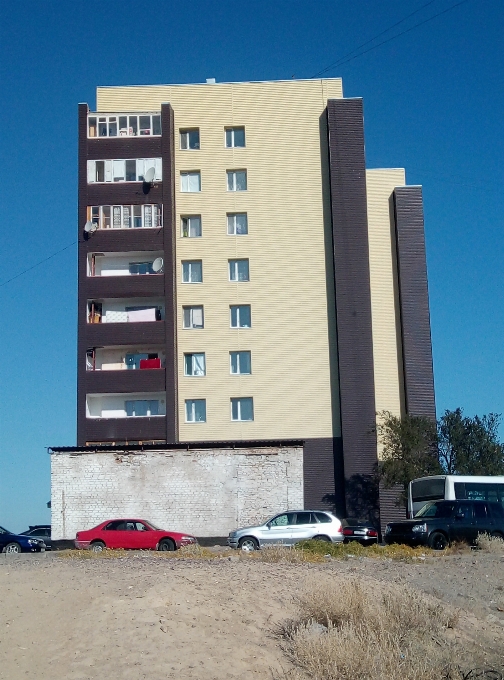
x=131, y=534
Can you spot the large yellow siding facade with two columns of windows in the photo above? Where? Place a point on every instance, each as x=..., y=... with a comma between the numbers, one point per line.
x=293, y=381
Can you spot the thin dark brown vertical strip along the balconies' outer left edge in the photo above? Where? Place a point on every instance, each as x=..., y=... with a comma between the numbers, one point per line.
x=82, y=254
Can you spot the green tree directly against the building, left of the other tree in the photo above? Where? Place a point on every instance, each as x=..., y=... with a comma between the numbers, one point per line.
x=408, y=450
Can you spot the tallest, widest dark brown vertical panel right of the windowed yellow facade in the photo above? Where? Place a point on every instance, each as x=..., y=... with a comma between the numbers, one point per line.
x=353, y=294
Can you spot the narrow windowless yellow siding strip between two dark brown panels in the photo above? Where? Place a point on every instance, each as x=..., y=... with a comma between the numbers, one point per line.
x=387, y=356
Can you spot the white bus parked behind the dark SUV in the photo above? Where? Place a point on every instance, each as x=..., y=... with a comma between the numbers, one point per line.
x=451, y=487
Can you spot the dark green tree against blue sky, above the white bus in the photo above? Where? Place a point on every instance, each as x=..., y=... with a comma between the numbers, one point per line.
x=470, y=446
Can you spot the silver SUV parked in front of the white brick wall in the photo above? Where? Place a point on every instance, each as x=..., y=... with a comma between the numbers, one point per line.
x=288, y=528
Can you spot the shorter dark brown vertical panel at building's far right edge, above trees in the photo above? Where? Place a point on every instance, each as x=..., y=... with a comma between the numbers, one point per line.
x=414, y=302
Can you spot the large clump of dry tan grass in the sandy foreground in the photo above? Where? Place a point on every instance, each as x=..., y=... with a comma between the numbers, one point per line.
x=348, y=631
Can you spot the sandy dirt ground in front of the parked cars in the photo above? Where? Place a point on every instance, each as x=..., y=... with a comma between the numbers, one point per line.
x=148, y=617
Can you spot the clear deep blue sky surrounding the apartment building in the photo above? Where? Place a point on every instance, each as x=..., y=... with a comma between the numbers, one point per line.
x=433, y=102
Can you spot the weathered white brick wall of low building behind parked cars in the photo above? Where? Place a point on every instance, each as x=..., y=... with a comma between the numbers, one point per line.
x=204, y=492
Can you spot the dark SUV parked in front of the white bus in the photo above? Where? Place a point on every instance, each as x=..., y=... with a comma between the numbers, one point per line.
x=439, y=523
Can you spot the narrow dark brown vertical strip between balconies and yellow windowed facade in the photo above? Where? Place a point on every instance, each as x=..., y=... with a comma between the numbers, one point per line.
x=169, y=231
